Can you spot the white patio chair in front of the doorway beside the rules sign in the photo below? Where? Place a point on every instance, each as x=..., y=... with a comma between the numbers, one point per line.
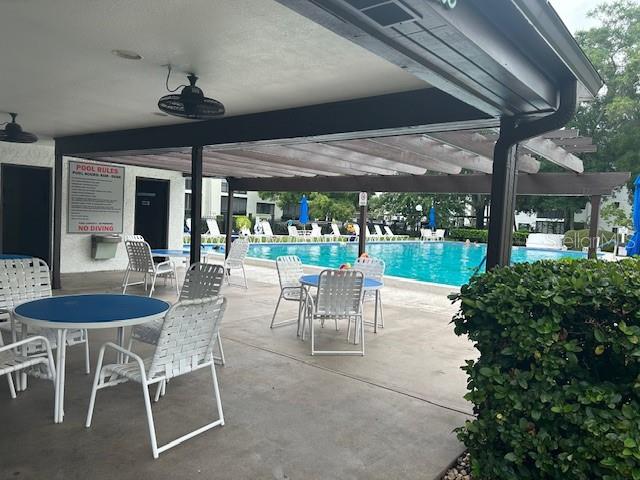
x=141, y=261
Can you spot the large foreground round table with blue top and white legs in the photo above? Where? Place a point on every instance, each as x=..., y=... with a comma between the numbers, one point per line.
x=89, y=311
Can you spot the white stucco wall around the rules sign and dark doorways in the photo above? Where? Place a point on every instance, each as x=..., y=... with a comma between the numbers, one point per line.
x=76, y=247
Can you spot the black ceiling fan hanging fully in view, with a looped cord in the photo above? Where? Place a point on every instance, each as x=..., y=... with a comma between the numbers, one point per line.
x=190, y=102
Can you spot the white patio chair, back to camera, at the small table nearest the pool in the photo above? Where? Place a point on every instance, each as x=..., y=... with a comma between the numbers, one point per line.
x=339, y=297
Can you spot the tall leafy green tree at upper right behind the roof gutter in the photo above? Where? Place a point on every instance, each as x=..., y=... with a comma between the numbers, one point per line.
x=613, y=118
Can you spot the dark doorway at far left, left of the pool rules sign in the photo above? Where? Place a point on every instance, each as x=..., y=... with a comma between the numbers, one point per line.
x=26, y=210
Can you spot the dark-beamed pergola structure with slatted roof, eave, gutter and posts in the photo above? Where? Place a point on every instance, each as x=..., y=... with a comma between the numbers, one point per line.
x=501, y=80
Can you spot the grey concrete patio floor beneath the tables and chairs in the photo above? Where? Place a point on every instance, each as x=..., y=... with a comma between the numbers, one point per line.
x=288, y=415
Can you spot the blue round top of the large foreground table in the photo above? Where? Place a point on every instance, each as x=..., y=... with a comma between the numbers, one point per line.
x=93, y=308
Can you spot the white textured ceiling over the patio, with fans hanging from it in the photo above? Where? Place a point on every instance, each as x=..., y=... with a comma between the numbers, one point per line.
x=58, y=73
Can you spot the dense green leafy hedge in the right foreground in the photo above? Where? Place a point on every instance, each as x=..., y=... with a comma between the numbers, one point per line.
x=556, y=388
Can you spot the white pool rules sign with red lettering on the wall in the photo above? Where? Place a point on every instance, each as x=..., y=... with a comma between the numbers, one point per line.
x=96, y=198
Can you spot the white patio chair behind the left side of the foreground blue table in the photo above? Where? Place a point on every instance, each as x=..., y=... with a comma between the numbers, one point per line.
x=27, y=279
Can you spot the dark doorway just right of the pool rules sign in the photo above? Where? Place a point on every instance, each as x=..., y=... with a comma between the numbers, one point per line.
x=152, y=211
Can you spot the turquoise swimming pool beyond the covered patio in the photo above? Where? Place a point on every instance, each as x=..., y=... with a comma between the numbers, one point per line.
x=449, y=263
